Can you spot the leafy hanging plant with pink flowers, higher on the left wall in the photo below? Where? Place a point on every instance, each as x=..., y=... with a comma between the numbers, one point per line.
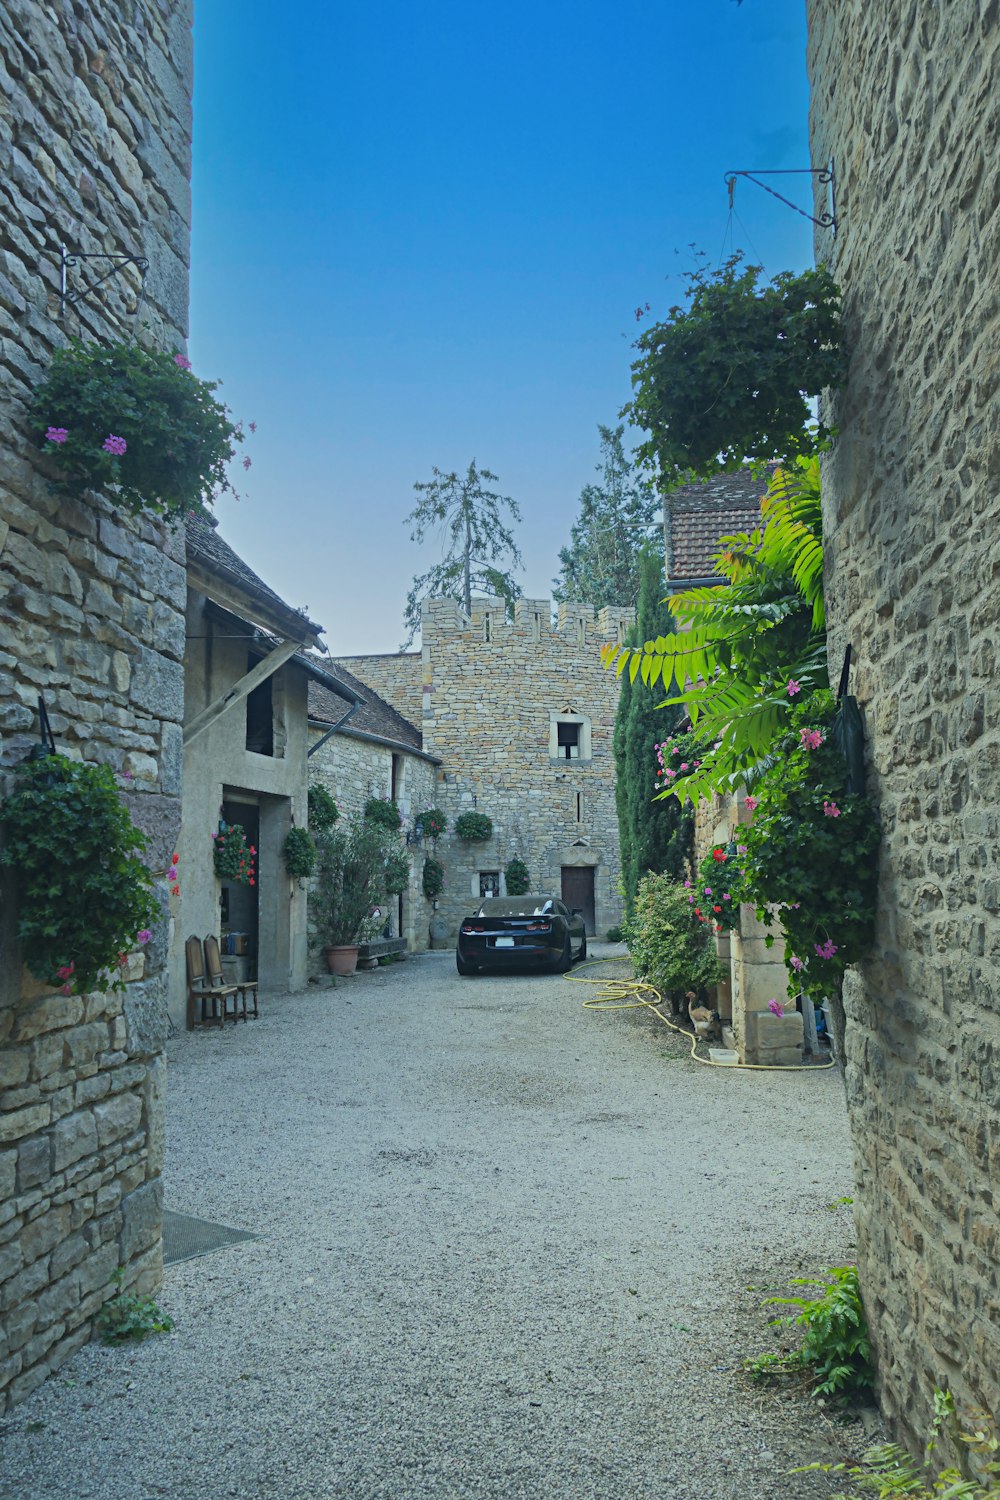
x=137, y=425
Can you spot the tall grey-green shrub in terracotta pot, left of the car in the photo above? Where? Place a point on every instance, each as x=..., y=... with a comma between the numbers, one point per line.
x=356, y=866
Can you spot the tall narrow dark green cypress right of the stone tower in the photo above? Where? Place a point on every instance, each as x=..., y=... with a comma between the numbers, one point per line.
x=654, y=836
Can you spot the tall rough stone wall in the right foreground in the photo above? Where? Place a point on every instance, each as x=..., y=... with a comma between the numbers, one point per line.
x=906, y=101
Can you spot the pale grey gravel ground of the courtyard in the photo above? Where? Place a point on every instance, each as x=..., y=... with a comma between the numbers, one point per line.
x=510, y=1249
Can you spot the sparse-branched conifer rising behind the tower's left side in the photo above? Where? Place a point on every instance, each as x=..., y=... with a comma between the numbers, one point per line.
x=479, y=550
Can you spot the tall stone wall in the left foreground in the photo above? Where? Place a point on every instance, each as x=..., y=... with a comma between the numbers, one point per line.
x=95, y=130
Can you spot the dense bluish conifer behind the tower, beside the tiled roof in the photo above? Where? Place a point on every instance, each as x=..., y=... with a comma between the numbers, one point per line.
x=618, y=520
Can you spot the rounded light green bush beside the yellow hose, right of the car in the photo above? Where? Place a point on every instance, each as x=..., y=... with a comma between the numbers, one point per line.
x=666, y=944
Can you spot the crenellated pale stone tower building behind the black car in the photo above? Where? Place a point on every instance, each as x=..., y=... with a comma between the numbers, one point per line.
x=519, y=716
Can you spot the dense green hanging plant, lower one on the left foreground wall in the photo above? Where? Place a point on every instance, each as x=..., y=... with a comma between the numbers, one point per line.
x=85, y=896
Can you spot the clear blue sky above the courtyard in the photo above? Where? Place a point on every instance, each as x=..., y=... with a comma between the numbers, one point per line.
x=421, y=235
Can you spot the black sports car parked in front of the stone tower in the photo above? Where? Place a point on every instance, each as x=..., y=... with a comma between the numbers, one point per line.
x=509, y=931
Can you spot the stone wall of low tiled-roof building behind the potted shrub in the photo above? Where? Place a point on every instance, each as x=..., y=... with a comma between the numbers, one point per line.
x=353, y=769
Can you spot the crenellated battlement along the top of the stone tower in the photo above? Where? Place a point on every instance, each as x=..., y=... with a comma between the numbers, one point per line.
x=533, y=617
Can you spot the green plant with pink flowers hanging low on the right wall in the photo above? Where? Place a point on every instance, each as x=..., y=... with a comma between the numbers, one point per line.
x=812, y=854
